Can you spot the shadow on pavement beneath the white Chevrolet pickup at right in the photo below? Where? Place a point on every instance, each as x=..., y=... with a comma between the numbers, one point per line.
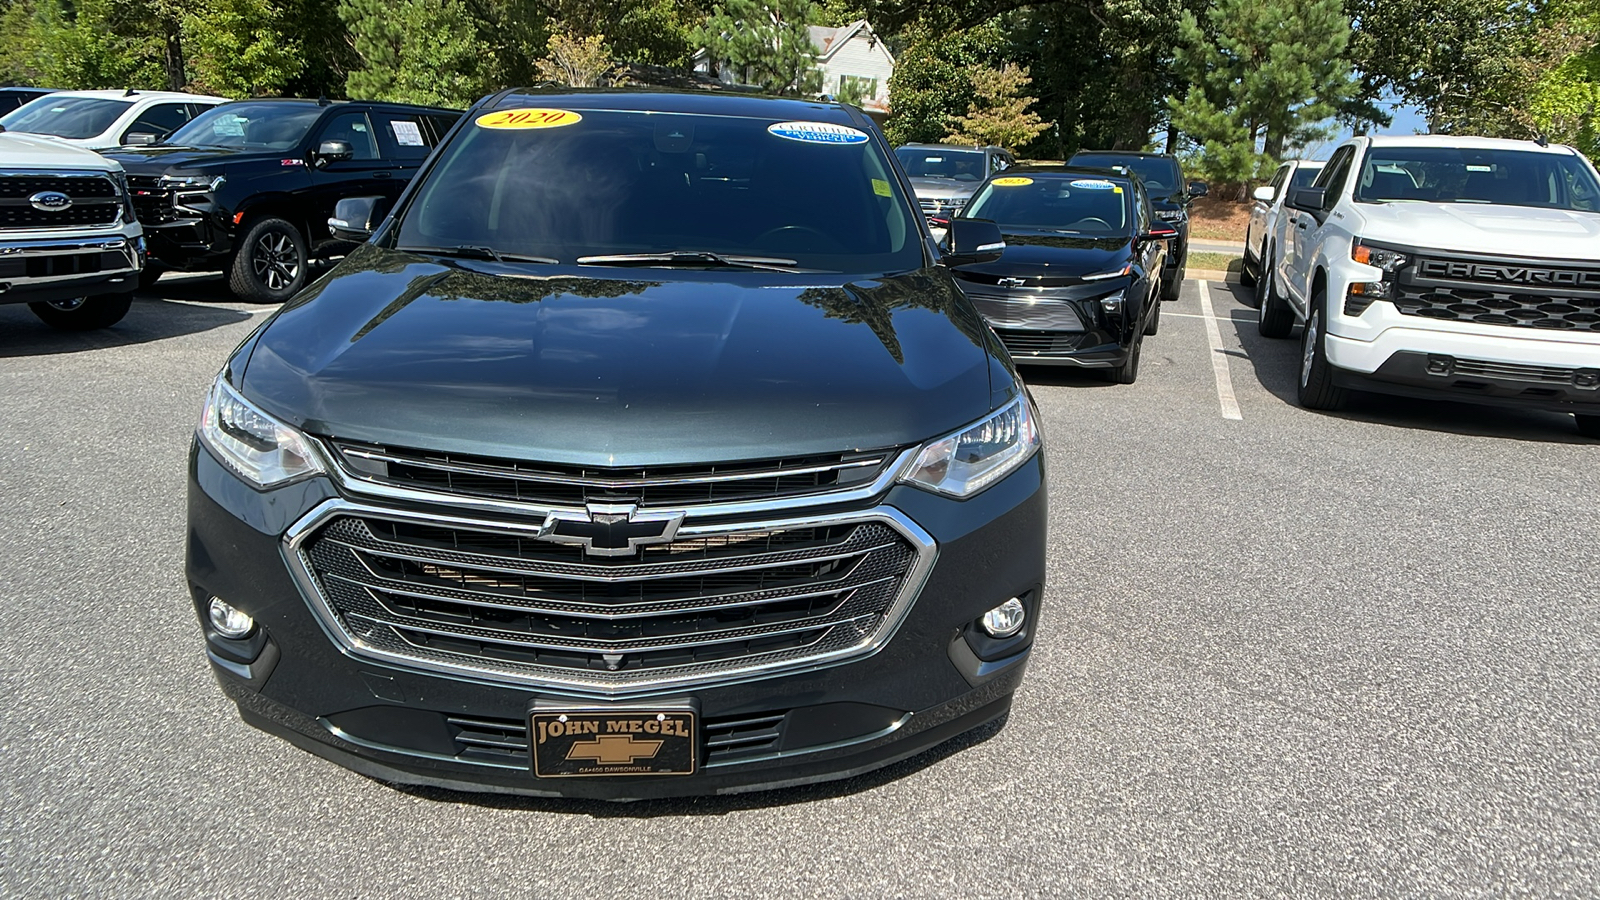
x=1278, y=369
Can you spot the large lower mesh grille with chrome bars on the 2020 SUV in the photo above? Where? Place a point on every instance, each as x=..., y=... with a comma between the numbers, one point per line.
x=503, y=603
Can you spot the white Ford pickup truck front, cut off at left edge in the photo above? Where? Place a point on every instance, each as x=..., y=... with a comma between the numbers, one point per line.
x=71, y=247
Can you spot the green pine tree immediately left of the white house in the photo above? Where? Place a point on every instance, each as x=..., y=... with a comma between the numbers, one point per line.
x=766, y=42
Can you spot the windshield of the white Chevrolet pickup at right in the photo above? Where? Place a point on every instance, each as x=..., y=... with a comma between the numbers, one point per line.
x=1452, y=175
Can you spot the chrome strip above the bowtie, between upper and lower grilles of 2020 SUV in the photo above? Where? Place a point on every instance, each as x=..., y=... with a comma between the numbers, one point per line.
x=367, y=488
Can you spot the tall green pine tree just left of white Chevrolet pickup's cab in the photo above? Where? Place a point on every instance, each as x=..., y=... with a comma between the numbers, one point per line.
x=1262, y=74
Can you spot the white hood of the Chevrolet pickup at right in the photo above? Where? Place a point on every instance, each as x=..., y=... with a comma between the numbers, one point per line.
x=1481, y=228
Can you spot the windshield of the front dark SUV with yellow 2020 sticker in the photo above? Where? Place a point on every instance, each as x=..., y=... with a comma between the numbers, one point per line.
x=606, y=183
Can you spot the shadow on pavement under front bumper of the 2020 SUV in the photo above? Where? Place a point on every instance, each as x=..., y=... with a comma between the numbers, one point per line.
x=719, y=805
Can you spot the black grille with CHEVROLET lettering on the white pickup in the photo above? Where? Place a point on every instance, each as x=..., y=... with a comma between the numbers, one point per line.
x=1526, y=294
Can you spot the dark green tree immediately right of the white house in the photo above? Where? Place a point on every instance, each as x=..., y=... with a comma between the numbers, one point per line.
x=934, y=82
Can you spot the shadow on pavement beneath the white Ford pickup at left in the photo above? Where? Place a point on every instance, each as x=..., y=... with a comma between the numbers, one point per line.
x=23, y=335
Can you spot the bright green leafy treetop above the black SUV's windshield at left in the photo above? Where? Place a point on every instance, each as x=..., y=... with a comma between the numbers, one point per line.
x=241, y=49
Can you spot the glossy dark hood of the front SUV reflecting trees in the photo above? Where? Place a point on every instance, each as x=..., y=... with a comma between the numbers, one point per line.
x=620, y=366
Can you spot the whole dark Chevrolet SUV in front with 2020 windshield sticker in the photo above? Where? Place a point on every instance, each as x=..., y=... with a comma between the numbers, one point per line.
x=556, y=489
